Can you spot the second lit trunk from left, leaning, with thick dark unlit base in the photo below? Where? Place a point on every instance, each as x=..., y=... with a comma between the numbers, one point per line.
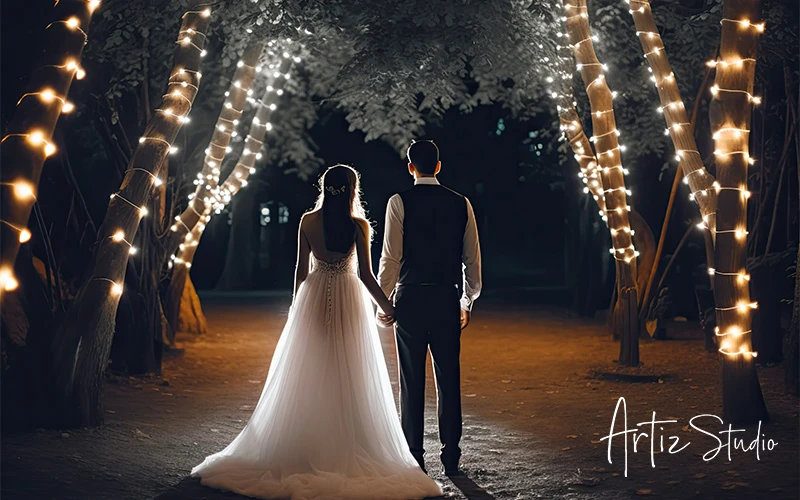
x=82, y=343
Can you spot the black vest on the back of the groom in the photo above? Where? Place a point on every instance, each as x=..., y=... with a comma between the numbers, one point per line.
x=434, y=222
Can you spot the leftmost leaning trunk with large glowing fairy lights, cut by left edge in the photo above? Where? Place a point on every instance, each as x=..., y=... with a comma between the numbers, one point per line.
x=29, y=138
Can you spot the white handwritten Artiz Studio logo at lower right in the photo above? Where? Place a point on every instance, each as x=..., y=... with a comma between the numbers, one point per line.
x=651, y=437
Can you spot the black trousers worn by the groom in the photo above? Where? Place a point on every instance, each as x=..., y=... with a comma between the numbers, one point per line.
x=430, y=315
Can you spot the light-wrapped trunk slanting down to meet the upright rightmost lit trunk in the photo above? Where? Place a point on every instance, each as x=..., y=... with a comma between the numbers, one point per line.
x=679, y=127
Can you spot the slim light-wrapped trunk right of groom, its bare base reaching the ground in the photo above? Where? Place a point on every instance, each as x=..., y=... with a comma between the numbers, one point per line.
x=608, y=150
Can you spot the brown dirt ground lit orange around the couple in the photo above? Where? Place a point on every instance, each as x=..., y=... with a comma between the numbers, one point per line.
x=535, y=413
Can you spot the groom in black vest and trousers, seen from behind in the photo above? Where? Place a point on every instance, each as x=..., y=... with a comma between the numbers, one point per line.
x=431, y=262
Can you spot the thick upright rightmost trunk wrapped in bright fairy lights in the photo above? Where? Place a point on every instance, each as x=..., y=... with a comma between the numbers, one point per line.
x=731, y=111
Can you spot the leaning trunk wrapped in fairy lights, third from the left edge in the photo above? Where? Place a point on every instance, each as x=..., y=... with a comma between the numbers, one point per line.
x=219, y=146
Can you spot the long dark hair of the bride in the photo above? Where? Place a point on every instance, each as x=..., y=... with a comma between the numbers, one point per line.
x=340, y=201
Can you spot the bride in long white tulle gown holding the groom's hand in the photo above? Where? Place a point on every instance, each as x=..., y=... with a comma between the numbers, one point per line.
x=326, y=426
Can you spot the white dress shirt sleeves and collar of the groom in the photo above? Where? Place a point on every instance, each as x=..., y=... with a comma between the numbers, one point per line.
x=392, y=254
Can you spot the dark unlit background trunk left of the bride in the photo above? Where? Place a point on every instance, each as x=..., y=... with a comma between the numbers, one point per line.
x=239, y=259
